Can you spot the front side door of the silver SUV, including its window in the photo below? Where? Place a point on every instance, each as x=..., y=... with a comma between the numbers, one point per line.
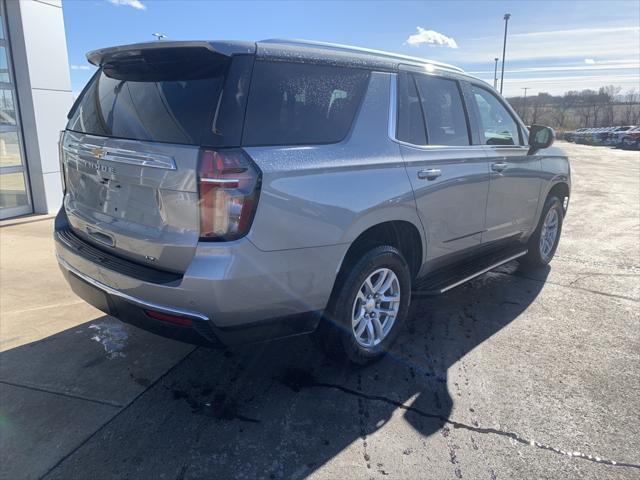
x=515, y=183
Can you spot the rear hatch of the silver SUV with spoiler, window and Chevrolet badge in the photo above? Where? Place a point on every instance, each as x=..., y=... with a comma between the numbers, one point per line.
x=131, y=149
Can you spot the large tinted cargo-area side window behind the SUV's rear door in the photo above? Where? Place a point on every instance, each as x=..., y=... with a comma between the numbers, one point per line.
x=295, y=103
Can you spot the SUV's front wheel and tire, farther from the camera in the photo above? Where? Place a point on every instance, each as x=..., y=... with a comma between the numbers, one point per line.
x=541, y=253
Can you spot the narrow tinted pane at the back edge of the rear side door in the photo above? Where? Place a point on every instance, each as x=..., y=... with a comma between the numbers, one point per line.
x=410, y=121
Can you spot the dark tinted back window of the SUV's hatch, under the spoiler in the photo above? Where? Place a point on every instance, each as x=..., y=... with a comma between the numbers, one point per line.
x=167, y=103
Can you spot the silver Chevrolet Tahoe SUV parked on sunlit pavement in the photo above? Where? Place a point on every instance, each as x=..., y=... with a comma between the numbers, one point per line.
x=231, y=192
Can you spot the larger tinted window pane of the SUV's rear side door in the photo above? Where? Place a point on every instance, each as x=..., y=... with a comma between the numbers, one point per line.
x=445, y=116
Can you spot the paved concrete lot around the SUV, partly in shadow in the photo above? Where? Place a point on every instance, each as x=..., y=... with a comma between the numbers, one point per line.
x=512, y=376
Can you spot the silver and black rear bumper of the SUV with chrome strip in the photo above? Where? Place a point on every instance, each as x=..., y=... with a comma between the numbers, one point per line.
x=232, y=294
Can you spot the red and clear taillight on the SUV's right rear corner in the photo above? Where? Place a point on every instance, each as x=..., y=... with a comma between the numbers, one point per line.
x=229, y=186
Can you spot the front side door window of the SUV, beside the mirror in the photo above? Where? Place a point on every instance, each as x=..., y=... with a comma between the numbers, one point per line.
x=497, y=125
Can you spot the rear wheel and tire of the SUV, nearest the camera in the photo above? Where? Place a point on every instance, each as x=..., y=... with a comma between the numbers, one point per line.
x=337, y=334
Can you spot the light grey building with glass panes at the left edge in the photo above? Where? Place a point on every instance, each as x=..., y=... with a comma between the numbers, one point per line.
x=35, y=96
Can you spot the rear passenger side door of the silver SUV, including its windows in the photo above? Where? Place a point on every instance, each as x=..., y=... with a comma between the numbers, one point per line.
x=449, y=175
